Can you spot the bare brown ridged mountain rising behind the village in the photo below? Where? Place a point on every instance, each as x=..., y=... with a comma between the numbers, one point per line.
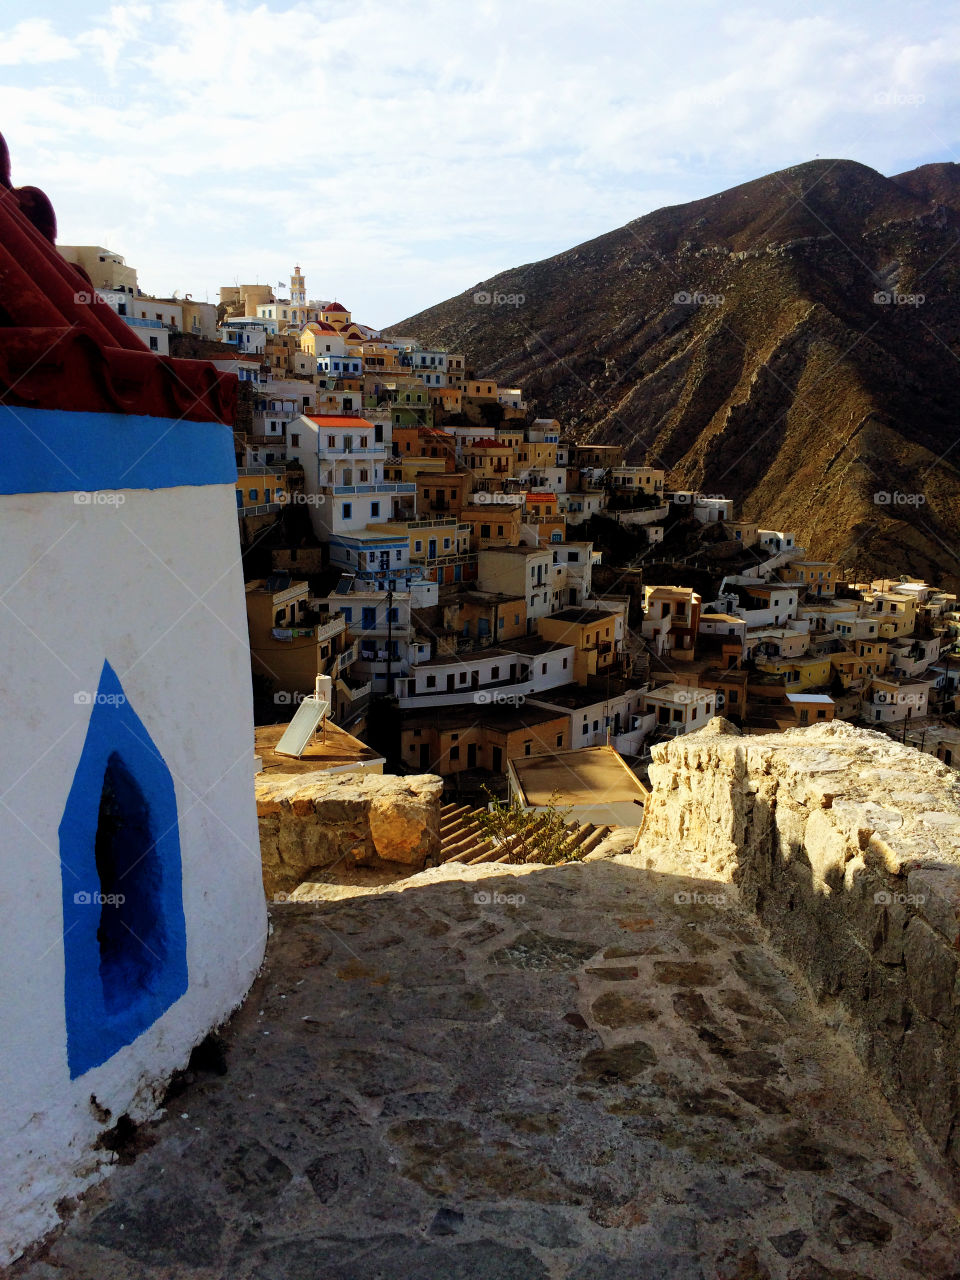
x=793, y=344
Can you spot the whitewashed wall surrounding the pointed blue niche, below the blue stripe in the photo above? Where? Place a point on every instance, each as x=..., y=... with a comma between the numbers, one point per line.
x=124, y=584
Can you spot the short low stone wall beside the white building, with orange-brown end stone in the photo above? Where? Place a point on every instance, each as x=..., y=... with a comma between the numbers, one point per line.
x=317, y=822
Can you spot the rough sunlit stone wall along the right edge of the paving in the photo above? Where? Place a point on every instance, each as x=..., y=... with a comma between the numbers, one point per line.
x=848, y=847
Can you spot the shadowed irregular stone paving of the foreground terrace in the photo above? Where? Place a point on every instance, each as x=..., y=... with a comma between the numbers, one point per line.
x=591, y=1072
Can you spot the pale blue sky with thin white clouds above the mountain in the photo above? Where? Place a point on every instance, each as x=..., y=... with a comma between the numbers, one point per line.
x=404, y=153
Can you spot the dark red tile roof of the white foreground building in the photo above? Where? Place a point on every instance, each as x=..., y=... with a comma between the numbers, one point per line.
x=66, y=349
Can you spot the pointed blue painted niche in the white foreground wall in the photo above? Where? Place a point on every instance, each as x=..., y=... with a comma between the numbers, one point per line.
x=125, y=932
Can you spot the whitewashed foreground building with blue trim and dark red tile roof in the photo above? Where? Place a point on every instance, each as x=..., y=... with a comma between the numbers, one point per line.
x=136, y=918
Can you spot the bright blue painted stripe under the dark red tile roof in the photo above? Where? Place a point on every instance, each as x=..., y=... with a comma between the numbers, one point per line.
x=56, y=451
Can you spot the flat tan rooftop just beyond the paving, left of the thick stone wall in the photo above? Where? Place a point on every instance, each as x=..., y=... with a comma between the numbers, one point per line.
x=589, y=776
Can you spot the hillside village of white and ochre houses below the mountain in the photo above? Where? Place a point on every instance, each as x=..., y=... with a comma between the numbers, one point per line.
x=413, y=529
